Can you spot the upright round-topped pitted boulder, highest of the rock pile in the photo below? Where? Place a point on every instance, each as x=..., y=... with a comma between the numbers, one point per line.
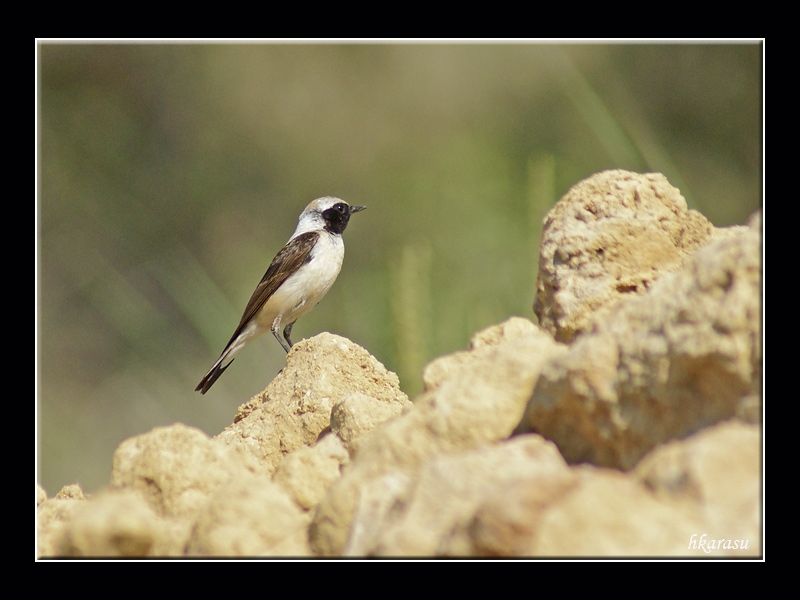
x=610, y=237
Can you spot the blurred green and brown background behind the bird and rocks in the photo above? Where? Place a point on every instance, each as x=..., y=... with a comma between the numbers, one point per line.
x=169, y=175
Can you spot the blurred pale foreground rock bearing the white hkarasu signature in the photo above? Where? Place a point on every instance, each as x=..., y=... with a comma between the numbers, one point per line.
x=682, y=496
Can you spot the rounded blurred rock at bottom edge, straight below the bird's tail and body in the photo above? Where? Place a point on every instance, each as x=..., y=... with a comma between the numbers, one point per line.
x=250, y=516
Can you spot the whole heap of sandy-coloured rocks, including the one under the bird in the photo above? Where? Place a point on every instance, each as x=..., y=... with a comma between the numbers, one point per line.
x=626, y=424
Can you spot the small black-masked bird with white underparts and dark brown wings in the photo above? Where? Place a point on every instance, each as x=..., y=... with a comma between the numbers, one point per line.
x=296, y=280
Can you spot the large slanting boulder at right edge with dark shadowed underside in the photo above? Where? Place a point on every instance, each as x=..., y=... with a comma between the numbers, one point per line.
x=659, y=366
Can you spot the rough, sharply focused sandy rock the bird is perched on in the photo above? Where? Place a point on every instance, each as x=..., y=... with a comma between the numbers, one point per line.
x=295, y=408
